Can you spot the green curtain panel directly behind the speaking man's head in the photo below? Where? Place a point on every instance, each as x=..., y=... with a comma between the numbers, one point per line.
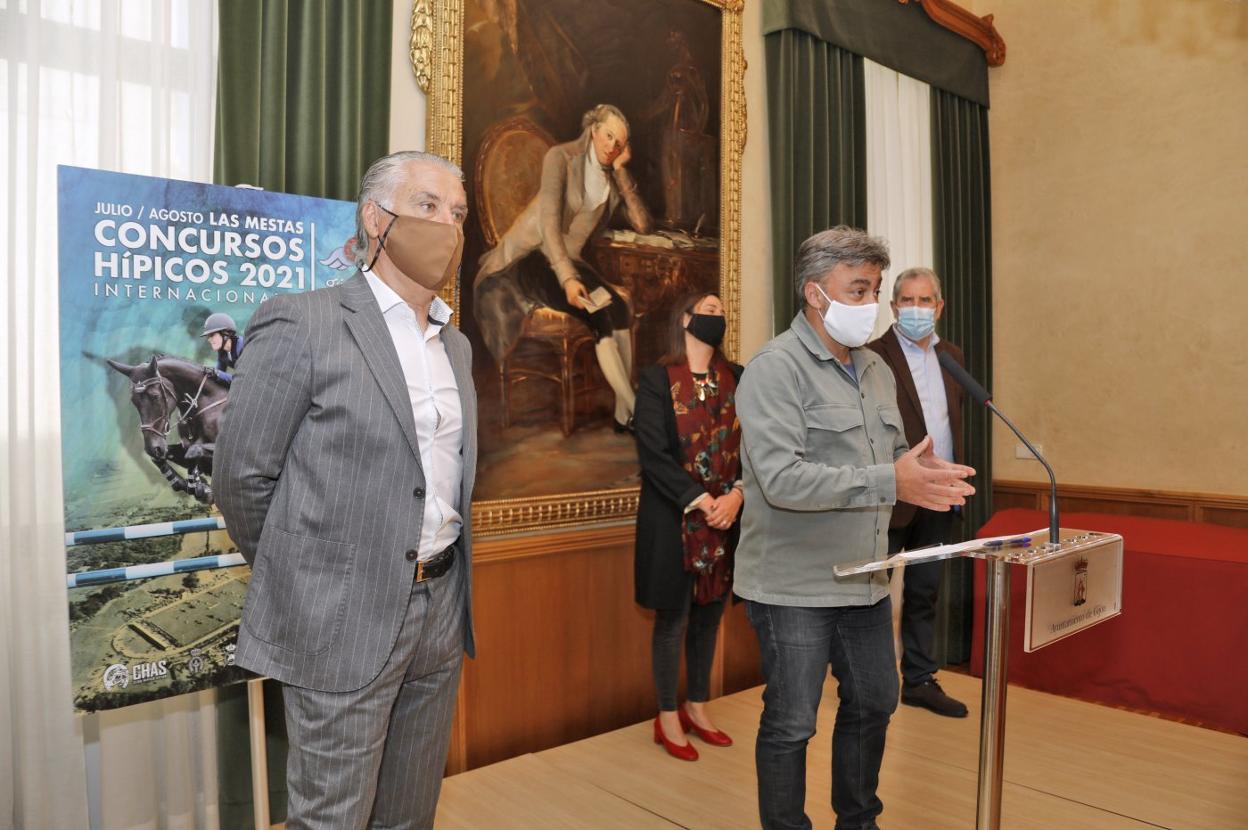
x=818, y=130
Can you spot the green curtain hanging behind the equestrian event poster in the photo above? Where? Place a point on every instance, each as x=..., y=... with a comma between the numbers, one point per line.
x=303, y=108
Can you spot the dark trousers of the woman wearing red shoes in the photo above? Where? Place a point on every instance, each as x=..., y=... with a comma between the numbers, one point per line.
x=697, y=626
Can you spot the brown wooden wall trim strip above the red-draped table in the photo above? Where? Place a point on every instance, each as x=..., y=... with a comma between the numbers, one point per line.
x=1212, y=509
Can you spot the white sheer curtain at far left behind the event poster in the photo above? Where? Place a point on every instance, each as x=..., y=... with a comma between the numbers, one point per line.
x=124, y=85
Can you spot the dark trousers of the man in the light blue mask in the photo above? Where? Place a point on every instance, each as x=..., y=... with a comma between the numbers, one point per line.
x=919, y=593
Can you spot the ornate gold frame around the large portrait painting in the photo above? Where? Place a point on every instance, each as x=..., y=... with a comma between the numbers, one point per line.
x=437, y=56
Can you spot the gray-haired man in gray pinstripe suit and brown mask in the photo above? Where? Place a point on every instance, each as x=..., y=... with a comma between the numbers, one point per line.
x=345, y=471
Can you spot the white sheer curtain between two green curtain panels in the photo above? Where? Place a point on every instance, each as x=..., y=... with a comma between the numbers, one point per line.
x=899, y=173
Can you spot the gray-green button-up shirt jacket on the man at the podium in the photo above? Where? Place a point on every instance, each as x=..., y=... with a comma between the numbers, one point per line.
x=818, y=454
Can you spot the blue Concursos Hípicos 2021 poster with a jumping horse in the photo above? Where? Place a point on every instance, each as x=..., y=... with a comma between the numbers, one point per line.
x=158, y=281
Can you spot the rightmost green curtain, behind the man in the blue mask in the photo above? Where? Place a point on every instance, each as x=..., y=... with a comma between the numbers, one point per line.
x=963, y=250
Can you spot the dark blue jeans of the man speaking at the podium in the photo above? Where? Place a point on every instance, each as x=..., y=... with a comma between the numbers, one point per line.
x=798, y=646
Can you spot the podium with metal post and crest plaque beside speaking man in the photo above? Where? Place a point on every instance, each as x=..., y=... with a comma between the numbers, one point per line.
x=1071, y=586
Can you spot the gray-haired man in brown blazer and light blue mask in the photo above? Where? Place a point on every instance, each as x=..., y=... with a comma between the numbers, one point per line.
x=930, y=404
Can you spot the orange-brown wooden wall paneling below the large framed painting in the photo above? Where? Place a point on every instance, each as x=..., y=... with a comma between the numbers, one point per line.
x=563, y=651
